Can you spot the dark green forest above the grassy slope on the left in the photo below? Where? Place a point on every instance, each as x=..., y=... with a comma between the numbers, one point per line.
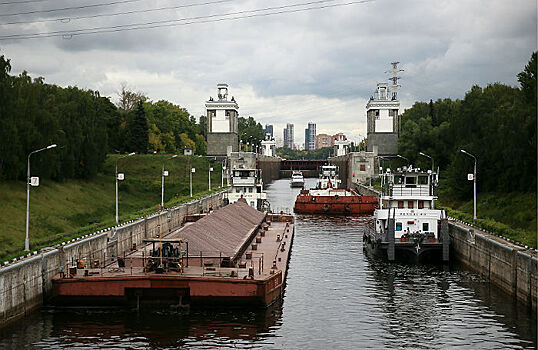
x=85, y=126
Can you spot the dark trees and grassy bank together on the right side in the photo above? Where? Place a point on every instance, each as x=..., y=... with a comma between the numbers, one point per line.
x=497, y=125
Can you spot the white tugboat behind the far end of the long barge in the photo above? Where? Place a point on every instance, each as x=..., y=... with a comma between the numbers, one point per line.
x=246, y=184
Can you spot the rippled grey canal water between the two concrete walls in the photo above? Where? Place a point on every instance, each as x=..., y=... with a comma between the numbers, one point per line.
x=336, y=297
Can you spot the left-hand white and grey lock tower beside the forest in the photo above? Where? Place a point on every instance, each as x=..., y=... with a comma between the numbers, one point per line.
x=222, y=114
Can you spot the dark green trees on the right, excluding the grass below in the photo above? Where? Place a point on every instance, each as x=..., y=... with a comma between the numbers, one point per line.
x=496, y=124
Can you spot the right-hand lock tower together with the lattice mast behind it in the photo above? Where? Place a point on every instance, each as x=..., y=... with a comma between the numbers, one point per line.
x=382, y=114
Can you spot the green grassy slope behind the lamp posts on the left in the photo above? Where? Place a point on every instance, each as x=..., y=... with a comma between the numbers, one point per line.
x=60, y=211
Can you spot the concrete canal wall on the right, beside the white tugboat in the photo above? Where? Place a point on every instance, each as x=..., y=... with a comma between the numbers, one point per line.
x=509, y=266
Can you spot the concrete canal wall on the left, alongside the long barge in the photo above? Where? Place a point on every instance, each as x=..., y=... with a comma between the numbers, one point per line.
x=26, y=284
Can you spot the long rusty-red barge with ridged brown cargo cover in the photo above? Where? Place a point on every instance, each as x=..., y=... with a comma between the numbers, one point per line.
x=233, y=256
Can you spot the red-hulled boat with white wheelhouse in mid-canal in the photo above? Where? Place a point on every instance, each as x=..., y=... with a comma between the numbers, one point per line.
x=328, y=199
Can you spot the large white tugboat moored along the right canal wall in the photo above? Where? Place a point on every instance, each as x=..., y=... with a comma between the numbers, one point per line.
x=407, y=223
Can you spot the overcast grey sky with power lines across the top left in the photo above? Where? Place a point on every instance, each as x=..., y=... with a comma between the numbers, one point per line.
x=319, y=65
